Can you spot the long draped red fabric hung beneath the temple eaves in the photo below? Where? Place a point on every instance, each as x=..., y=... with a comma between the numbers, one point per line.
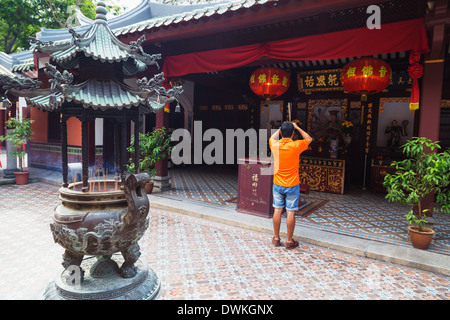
x=392, y=37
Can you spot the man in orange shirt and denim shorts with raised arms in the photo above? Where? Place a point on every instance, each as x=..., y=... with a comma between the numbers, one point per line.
x=286, y=183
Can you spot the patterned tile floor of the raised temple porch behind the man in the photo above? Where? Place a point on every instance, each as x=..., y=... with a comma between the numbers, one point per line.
x=365, y=215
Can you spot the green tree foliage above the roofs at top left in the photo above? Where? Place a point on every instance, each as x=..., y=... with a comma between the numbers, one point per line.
x=20, y=19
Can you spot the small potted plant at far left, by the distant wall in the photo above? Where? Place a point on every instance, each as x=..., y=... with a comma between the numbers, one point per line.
x=19, y=134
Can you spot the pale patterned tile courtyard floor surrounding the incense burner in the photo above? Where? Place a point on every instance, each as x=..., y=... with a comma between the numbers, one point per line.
x=200, y=259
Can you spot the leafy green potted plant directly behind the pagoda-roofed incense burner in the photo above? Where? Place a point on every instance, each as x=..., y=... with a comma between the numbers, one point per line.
x=153, y=147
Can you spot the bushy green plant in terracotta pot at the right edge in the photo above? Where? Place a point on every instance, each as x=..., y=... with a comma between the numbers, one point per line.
x=420, y=174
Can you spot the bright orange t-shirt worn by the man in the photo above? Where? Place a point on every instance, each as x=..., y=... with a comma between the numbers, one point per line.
x=286, y=154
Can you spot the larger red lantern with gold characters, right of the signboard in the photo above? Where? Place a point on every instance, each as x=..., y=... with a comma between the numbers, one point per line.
x=366, y=76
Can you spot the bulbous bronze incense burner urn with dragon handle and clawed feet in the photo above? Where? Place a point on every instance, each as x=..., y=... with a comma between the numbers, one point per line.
x=102, y=222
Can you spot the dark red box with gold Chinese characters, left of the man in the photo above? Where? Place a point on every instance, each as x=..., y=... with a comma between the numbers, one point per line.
x=255, y=187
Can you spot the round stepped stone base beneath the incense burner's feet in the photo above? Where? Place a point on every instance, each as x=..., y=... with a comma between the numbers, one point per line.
x=108, y=286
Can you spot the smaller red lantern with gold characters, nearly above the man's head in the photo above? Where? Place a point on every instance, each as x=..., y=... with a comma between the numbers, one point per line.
x=269, y=82
